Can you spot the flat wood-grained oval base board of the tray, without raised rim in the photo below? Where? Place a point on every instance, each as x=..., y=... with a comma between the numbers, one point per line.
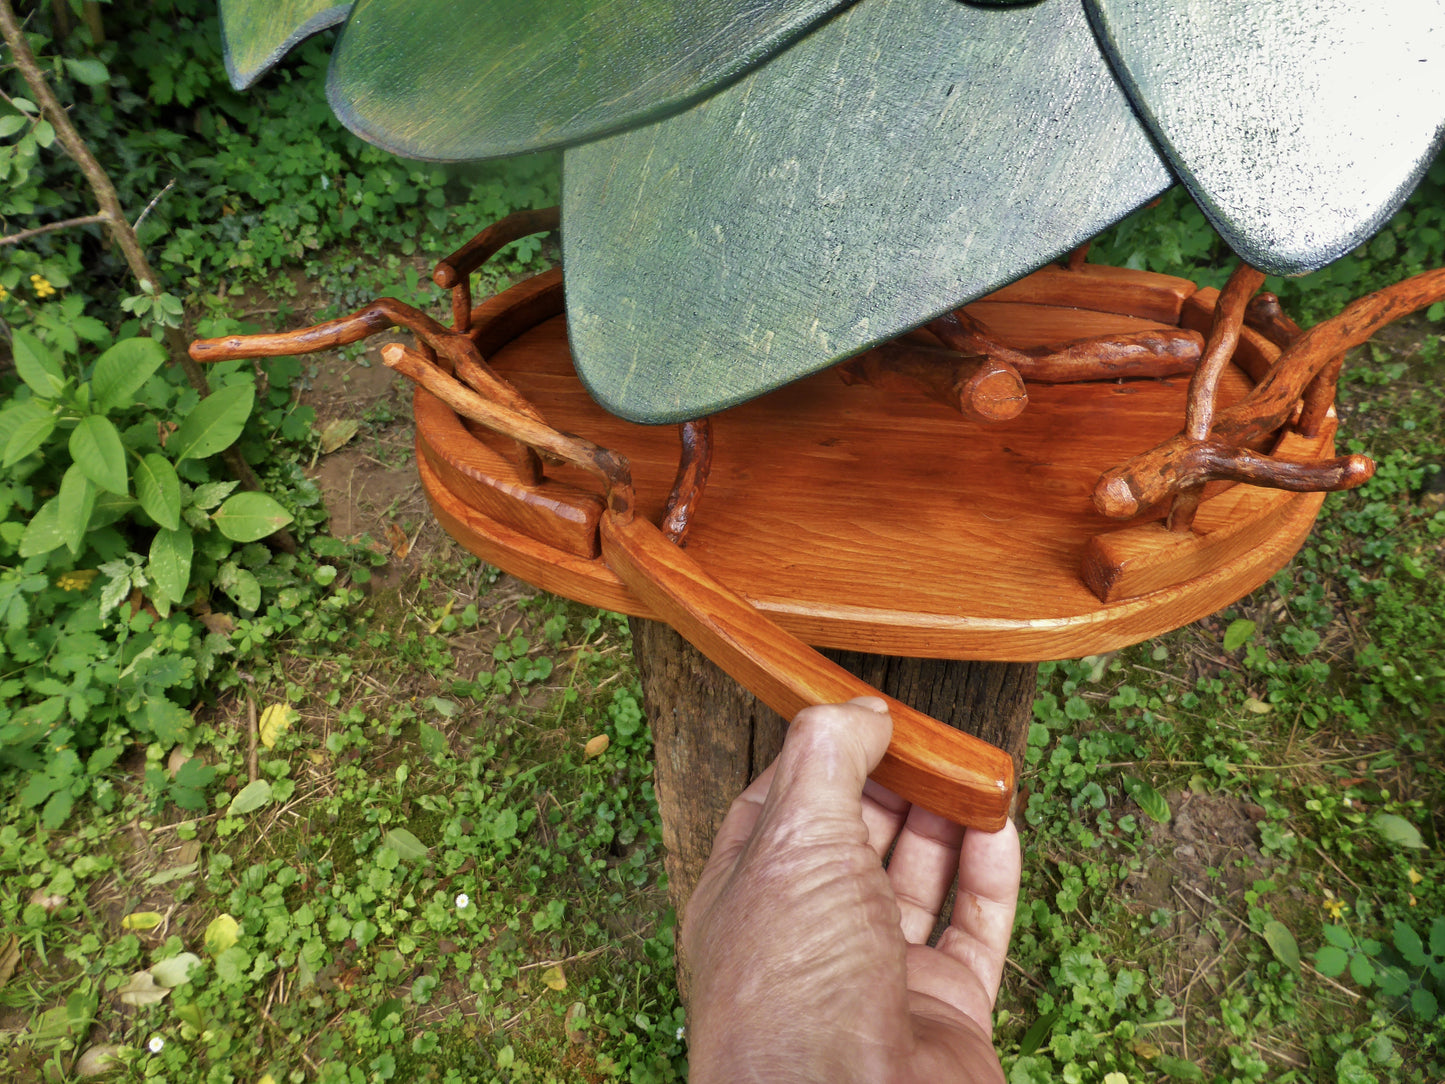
x=884, y=521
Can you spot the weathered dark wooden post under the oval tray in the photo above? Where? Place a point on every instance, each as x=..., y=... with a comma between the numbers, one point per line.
x=712, y=736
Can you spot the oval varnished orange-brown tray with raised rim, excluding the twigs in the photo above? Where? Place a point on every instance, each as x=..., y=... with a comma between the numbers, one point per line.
x=882, y=521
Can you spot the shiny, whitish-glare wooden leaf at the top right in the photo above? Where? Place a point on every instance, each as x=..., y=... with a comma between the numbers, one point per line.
x=1300, y=126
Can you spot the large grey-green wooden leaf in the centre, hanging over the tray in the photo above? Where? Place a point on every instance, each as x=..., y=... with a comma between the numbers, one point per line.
x=904, y=158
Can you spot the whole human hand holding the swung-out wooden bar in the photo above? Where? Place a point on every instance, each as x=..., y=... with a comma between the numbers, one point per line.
x=810, y=959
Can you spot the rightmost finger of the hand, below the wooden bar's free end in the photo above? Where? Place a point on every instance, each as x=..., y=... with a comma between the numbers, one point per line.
x=983, y=911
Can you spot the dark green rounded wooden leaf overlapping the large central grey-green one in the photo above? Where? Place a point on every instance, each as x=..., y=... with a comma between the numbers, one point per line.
x=436, y=79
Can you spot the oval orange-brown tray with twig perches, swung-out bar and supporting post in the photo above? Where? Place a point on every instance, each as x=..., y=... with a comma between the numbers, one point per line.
x=1079, y=462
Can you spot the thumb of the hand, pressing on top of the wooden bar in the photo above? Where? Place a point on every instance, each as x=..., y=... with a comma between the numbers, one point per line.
x=827, y=758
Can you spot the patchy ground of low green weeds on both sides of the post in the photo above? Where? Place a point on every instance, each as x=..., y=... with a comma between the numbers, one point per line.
x=436, y=872
